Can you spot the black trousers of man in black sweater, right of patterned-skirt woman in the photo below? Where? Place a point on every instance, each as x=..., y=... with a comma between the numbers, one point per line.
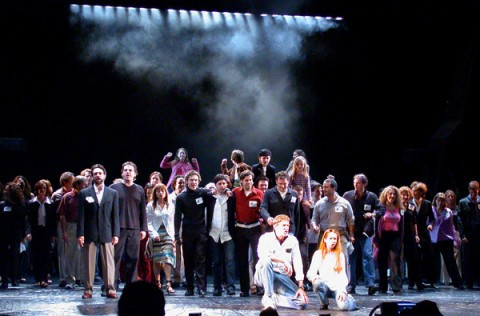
x=194, y=251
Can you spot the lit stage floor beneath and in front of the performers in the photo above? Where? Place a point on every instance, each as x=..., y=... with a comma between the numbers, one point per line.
x=29, y=300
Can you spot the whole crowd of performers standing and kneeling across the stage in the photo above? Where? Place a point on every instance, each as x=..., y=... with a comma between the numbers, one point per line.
x=281, y=232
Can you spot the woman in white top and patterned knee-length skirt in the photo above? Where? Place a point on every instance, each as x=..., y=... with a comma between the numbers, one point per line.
x=160, y=215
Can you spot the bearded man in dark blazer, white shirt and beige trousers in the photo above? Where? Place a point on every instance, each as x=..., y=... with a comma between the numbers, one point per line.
x=98, y=226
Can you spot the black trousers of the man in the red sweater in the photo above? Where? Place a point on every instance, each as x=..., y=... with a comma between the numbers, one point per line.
x=246, y=237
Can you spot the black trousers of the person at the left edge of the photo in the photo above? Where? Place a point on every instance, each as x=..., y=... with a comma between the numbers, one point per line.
x=9, y=257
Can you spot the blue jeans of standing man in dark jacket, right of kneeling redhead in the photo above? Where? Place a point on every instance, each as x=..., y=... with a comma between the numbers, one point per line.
x=363, y=246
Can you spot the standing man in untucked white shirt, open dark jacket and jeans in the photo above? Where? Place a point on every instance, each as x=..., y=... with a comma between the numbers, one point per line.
x=221, y=227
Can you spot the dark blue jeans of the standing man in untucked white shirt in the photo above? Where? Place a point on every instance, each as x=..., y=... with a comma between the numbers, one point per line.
x=223, y=253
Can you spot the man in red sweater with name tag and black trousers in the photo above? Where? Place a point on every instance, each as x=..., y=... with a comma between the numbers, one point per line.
x=246, y=202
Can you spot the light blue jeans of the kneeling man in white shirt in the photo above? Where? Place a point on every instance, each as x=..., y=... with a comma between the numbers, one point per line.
x=279, y=284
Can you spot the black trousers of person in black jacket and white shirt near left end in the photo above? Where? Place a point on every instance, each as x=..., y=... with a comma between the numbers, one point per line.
x=41, y=245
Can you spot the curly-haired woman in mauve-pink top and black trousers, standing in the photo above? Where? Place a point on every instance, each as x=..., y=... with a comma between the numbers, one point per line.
x=388, y=238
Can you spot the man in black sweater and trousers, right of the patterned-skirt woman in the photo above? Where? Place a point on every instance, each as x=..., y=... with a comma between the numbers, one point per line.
x=190, y=213
